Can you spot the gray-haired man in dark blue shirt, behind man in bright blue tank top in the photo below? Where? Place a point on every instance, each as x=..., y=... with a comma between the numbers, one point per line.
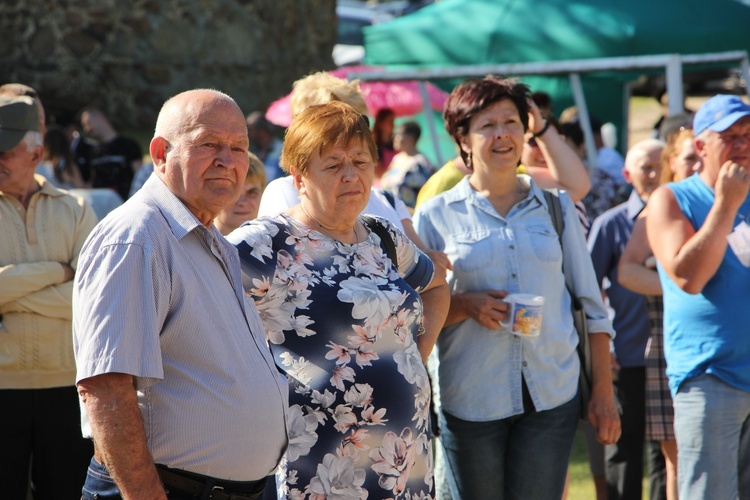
x=609, y=234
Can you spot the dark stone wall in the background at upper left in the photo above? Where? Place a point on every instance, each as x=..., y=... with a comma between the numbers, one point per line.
x=128, y=56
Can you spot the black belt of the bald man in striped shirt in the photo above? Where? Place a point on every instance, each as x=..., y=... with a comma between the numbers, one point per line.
x=209, y=488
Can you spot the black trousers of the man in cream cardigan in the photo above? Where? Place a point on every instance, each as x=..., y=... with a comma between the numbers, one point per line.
x=40, y=430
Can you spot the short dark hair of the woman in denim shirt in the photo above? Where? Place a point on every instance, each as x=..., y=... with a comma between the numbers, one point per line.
x=474, y=95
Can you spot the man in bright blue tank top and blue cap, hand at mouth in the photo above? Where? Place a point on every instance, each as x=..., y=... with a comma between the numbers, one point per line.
x=698, y=231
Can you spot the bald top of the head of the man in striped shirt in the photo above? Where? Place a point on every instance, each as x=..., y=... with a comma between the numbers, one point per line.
x=181, y=113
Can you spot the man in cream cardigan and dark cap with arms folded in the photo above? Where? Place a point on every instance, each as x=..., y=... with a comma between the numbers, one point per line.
x=42, y=230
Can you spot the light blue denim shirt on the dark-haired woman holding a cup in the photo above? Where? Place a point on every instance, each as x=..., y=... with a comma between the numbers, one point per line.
x=480, y=370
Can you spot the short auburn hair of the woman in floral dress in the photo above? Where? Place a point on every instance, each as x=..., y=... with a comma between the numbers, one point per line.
x=318, y=128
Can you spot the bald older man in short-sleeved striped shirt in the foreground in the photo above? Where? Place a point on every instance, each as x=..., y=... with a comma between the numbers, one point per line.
x=177, y=385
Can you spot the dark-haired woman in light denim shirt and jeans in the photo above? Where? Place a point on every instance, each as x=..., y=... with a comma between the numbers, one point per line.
x=510, y=404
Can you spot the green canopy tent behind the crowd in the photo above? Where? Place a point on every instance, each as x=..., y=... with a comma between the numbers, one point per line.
x=461, y=33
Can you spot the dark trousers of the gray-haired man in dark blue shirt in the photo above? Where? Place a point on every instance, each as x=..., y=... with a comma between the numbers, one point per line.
x=625, y=458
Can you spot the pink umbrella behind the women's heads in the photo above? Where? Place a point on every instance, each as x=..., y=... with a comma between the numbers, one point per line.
x=402, y=97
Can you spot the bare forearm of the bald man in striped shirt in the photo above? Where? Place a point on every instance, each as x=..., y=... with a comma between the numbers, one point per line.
x=119, y=436
